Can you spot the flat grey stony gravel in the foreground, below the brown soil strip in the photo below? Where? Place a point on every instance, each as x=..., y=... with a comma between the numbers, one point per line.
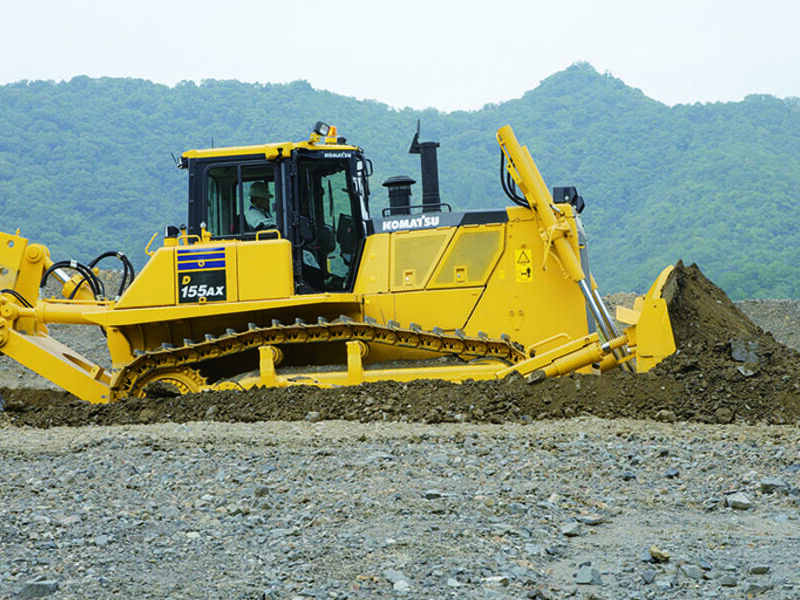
x=584, y=508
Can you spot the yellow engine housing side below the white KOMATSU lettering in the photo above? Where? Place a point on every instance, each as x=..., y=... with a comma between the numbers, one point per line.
x=500, y=278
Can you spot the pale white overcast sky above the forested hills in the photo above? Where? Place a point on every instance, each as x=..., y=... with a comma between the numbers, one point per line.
x=417, y=53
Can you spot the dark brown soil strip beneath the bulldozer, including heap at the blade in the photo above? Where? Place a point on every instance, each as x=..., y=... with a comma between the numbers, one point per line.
x=726, y=370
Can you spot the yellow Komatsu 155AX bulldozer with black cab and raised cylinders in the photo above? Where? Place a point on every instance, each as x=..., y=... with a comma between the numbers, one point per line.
x=284, y=276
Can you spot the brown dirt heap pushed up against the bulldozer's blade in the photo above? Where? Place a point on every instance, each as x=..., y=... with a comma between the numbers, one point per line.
x=725, y=363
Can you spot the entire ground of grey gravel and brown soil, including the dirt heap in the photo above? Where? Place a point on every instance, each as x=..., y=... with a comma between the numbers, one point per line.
x=580, y=507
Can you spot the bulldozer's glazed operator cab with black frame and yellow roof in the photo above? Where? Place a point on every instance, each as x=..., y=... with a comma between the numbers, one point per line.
x=313, y=196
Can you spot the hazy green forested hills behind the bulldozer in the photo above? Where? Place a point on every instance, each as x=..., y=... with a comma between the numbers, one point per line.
x=86, y=165
